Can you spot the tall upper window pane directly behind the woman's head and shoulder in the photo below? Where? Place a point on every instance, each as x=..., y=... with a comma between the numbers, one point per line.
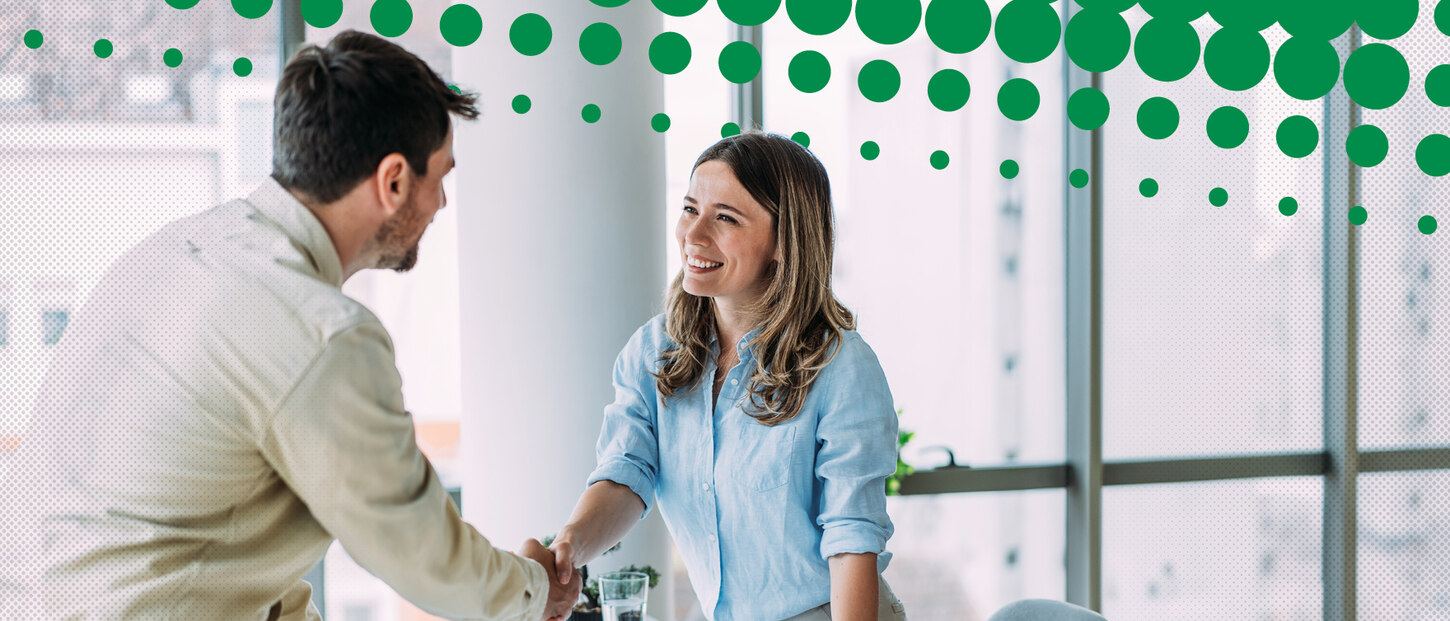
x=956, y=275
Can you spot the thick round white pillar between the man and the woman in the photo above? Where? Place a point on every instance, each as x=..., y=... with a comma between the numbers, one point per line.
x=560, y=246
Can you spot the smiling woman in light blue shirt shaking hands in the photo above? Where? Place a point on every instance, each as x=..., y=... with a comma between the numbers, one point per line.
x=752, y=410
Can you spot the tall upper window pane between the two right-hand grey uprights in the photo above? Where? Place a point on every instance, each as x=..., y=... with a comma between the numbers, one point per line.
x=1211, y=314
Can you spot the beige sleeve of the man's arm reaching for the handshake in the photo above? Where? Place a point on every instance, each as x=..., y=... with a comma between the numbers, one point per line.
x=343, y=442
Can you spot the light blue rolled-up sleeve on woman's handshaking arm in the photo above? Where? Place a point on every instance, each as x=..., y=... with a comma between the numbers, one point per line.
x=629, y=449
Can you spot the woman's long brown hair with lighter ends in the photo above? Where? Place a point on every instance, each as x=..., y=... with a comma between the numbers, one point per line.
x=798, y=316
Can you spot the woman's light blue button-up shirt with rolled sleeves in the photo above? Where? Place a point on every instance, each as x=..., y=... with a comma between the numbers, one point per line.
x=756, y=510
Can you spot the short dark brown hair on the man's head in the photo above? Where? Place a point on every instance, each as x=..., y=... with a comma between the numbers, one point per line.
x=341, y=110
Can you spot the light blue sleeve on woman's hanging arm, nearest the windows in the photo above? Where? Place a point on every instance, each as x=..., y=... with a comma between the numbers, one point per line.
x=858, y=452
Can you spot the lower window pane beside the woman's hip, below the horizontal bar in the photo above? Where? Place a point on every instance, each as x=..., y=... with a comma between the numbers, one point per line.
x=965, y=556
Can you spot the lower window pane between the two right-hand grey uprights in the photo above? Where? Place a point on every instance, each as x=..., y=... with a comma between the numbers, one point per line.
x=1217, y=551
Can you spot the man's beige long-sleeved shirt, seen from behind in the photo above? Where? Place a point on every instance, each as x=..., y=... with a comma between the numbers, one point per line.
x=214, y=419
